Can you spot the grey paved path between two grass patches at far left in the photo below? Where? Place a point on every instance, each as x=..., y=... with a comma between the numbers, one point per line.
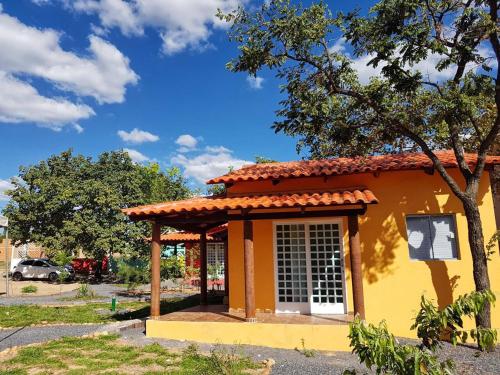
x=28, y=335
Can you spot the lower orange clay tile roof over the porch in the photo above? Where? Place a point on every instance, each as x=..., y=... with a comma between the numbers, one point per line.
x=221, y=203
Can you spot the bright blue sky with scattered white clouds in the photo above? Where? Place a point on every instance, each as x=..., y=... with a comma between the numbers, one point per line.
x=78, y=74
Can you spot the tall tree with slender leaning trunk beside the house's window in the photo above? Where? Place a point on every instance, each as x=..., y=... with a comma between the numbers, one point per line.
x=437, y=85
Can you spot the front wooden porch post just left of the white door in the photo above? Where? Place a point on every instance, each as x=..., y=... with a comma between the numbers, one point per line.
x=249, y=272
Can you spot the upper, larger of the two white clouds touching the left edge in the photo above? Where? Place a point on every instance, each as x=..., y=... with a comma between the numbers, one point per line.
x=104, y=74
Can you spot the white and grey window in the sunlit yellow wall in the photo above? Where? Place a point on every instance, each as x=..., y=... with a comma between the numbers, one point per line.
x=432, y=237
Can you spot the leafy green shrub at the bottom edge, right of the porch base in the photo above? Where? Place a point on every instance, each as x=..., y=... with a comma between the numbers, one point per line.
x=378, y=348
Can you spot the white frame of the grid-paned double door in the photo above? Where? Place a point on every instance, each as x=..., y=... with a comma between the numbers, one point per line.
x=305, y=308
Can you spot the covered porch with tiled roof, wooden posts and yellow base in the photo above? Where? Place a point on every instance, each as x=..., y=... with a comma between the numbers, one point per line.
x=253, y=325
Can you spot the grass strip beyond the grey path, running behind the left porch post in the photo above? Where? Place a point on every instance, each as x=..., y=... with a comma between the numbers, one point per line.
x=24, y=315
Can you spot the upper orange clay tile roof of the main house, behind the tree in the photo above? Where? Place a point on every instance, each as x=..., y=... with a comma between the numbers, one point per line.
x=343, y=166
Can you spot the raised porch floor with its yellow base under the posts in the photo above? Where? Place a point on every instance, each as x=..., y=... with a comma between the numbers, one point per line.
x=215, y=324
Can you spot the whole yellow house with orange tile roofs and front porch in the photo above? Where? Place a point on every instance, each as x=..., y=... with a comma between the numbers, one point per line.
x=312, y=243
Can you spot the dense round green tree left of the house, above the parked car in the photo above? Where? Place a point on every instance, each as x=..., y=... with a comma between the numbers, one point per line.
x=71, y=202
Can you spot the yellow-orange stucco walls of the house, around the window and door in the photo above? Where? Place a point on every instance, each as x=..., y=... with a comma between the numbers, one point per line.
x=393, y=283
